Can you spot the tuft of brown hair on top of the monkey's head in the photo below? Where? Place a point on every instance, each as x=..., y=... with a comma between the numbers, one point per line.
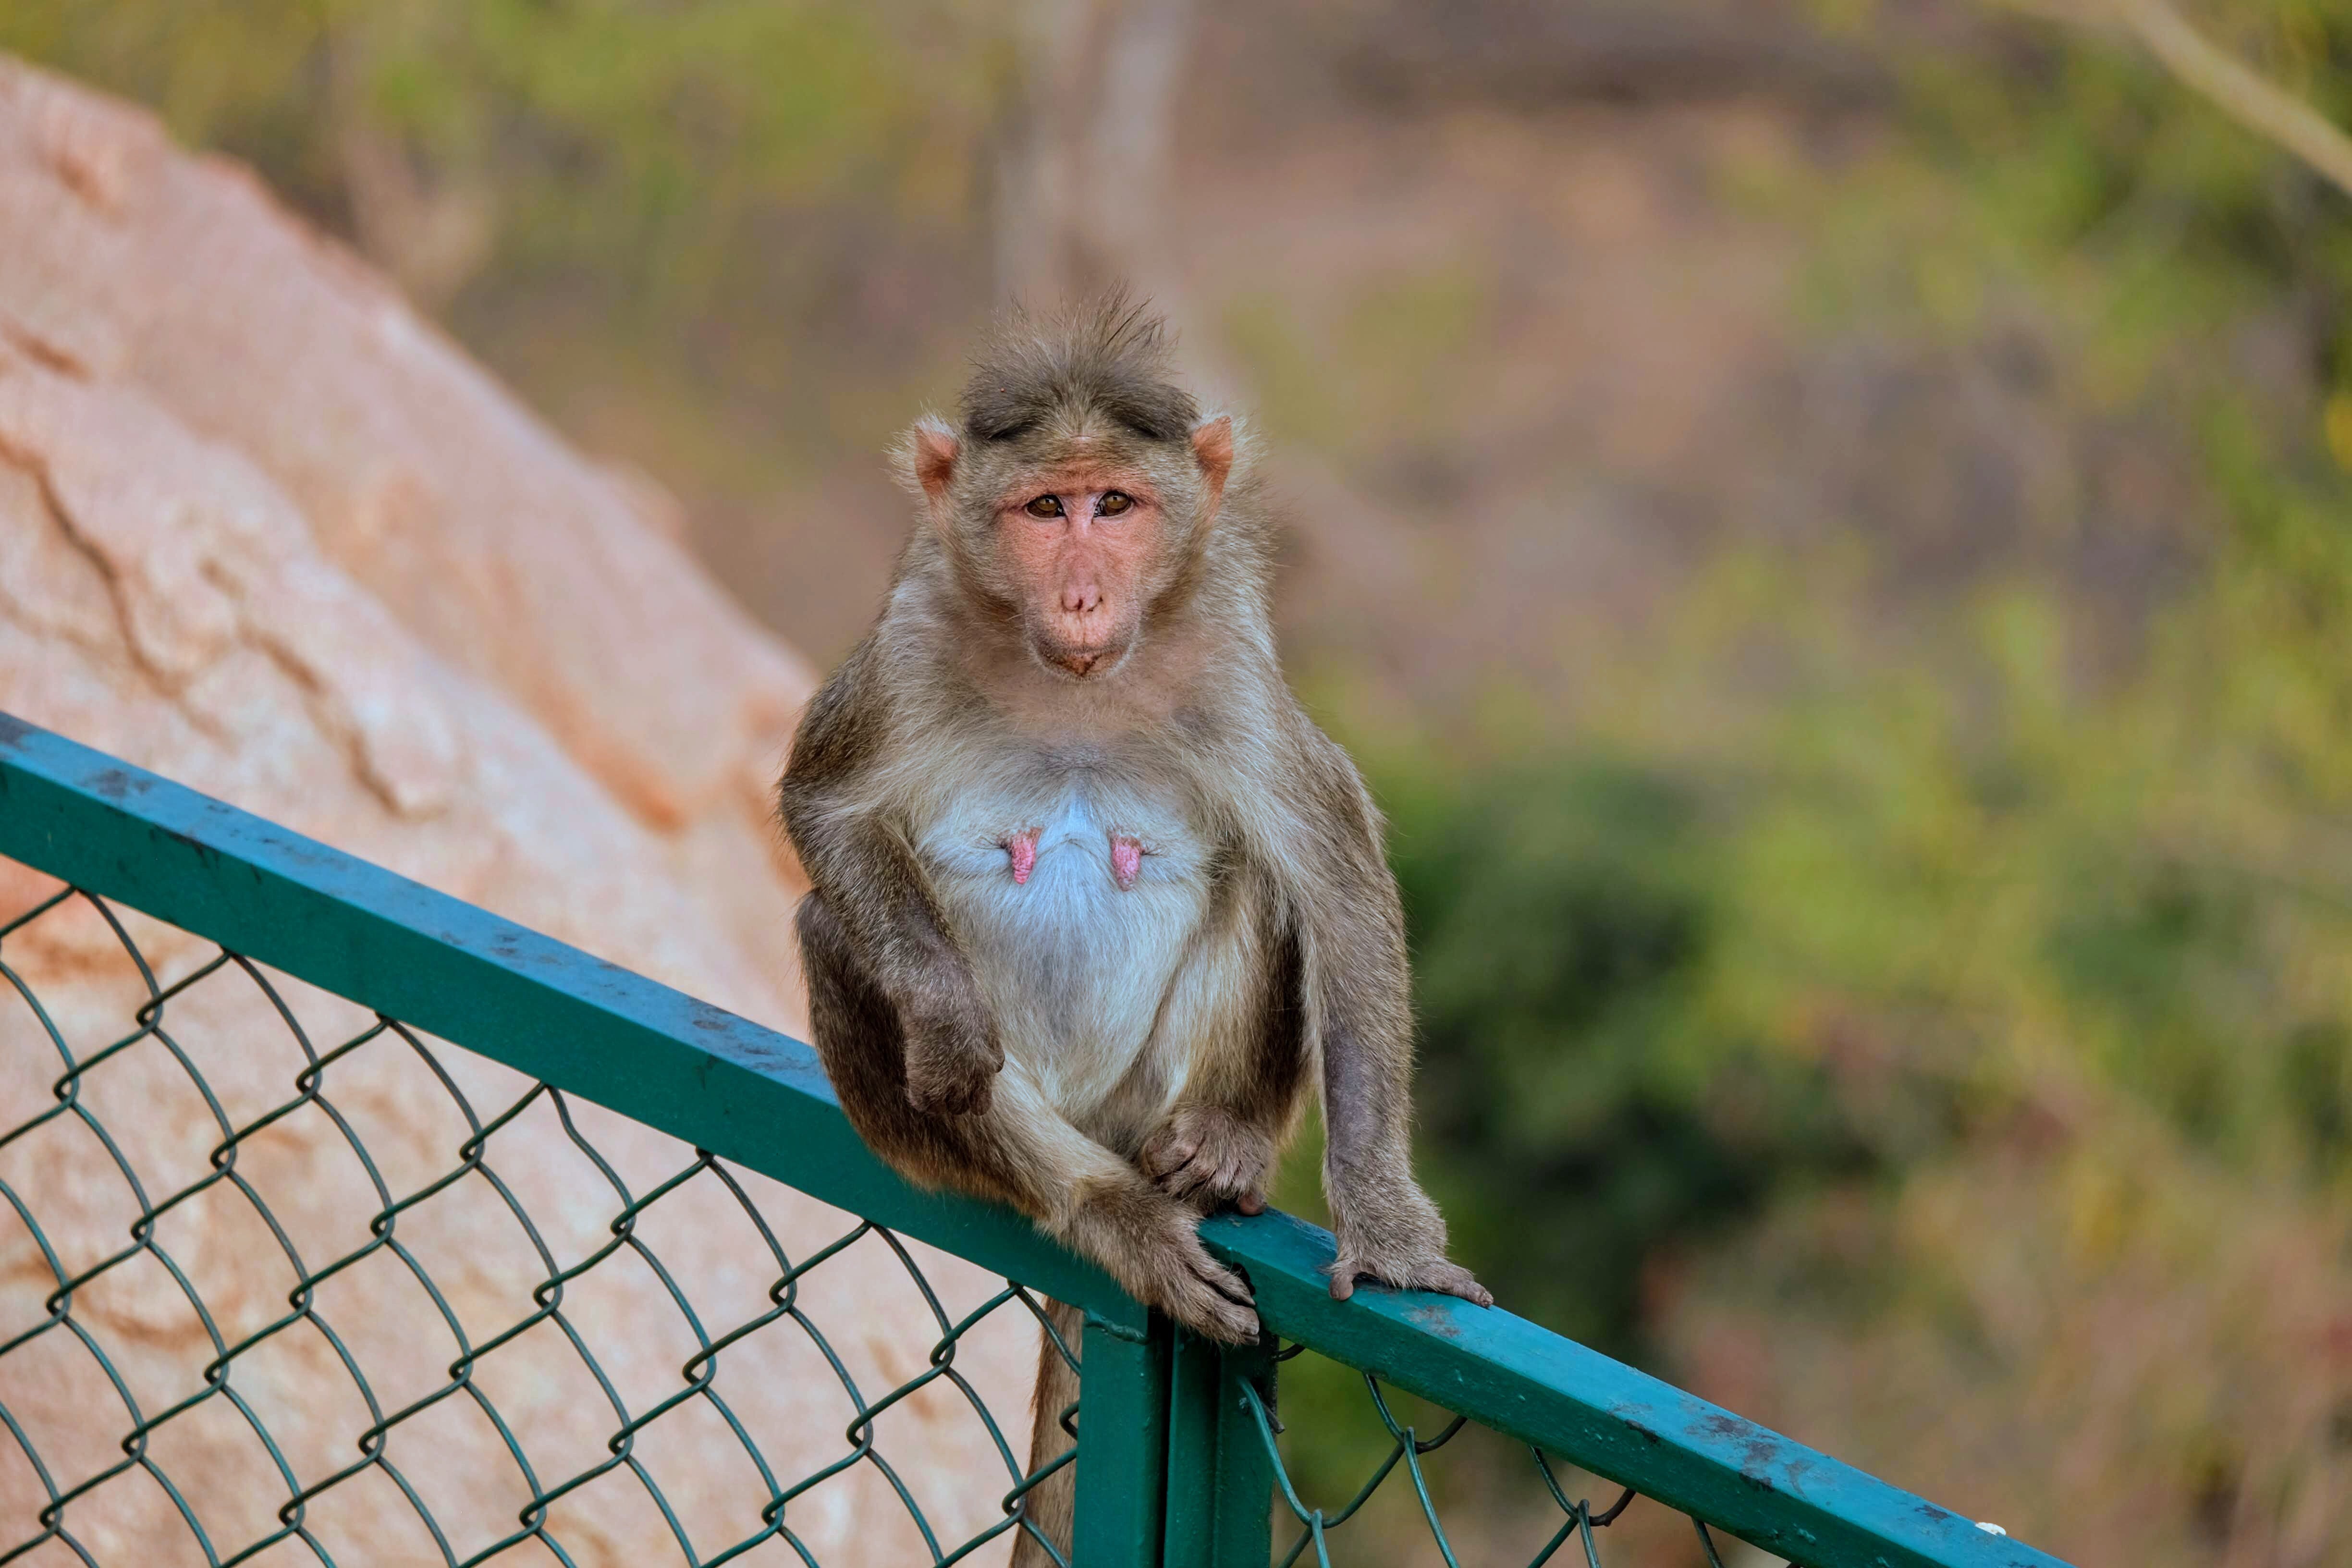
x=1104, y=359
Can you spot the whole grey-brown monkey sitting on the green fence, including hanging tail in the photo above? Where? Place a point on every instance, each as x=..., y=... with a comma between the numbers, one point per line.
x=1095, y=904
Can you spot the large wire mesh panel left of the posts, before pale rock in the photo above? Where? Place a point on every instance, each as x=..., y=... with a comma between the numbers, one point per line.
x=272, y=1294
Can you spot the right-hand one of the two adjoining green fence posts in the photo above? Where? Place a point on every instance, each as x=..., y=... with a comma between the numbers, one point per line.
x=1222, y=1482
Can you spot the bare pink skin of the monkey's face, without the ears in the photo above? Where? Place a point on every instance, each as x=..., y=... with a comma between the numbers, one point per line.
x=1081, y=542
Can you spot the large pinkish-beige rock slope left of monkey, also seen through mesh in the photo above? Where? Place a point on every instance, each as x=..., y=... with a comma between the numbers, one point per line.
x=267, y=532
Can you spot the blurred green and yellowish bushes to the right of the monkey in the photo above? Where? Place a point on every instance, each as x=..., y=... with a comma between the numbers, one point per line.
x=1855, y=902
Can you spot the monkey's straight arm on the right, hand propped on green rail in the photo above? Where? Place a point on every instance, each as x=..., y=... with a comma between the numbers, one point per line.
x=1358, y=1000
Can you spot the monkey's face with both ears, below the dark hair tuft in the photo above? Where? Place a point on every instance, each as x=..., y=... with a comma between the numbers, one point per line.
x=1081, y=535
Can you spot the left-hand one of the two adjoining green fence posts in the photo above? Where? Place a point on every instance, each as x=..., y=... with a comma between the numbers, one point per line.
x=1123, y=1428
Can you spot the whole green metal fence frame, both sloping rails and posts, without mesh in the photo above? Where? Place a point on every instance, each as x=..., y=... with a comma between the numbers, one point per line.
x=1170, y=1475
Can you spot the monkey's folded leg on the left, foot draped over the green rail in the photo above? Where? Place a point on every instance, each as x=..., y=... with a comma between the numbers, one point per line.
x=1020, y=1151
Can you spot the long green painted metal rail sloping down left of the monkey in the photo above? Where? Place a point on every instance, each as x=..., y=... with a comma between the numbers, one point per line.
x=441, y=965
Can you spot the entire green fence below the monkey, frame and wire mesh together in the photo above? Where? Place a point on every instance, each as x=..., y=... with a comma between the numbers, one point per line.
x=352, y=1226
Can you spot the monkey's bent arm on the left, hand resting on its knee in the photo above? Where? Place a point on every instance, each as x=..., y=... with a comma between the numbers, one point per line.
x=883, y=902
